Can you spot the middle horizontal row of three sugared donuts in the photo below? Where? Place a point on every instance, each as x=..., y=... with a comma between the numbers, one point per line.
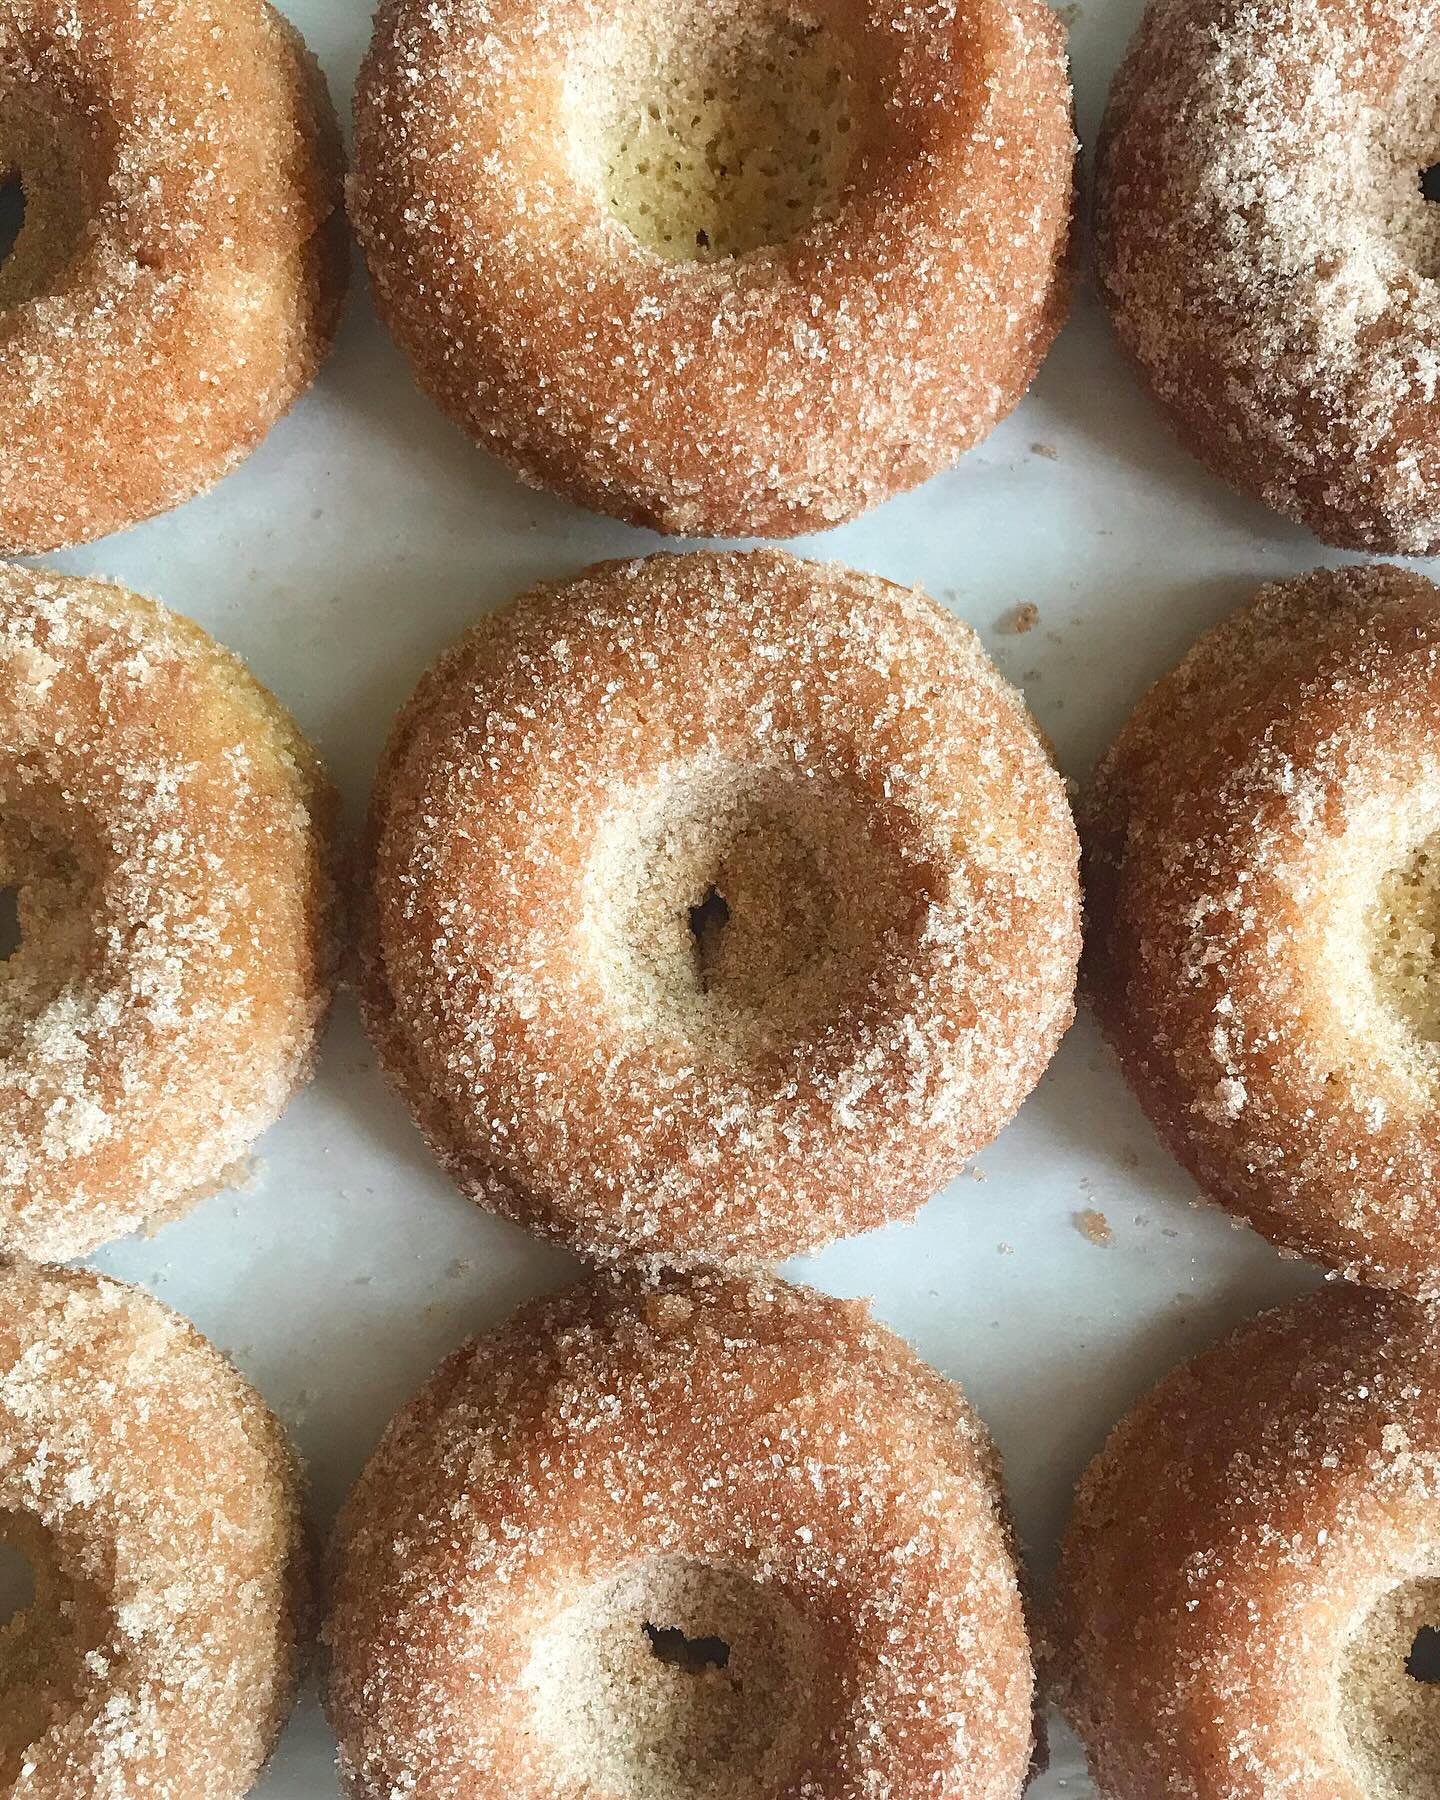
x=719, y=906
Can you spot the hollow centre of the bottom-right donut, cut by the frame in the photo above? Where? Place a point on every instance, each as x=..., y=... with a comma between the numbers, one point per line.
x=1390, y=1695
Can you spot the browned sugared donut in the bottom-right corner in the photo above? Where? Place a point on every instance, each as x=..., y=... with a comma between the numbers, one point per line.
x=1254, y=1567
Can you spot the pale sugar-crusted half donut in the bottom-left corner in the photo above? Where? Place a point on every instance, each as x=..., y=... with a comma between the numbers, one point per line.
x=156, y=1502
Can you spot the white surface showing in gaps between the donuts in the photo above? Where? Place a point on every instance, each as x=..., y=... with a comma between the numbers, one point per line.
x=359, y=541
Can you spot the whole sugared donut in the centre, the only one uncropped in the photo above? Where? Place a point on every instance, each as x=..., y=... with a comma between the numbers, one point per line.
x=717, y=906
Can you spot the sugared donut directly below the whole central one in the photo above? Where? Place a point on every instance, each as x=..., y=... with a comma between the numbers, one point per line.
x=705, y=1542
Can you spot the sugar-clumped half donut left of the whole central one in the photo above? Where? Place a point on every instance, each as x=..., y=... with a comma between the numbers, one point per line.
x=165, y=868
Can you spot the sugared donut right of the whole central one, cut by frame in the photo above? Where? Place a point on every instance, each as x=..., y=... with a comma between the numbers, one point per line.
x=1264, y=894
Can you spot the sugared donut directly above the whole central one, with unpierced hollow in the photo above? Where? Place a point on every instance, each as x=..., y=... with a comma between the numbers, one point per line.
x=719, y=267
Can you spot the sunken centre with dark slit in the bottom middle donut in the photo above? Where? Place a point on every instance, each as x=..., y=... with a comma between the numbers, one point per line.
x=674, y=1680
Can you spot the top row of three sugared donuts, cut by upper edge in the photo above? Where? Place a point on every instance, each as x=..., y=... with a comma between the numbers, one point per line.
x=739, y=269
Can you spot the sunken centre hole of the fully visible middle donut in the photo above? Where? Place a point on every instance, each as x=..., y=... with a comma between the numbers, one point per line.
x=742, y=910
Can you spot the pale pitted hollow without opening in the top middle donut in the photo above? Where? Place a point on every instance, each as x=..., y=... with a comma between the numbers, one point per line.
x=712, y=139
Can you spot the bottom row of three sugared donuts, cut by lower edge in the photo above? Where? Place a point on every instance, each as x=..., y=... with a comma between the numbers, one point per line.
x=717, y=1536
